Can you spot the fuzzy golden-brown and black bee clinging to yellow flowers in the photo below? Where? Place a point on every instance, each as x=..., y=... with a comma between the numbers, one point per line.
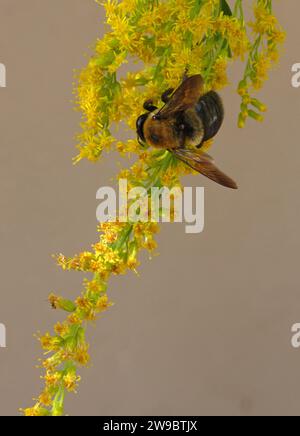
x=187, y=119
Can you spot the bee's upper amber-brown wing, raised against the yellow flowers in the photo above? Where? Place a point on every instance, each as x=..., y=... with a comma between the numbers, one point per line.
x=185, y=96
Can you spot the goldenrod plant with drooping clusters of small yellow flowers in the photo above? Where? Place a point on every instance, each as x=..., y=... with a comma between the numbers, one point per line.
x=166, y=38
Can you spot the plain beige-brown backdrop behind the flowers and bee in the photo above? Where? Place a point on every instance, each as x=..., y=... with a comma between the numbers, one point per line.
x=206, y=327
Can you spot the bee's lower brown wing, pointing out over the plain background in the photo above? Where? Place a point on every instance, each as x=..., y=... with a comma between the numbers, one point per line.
x=204, y=164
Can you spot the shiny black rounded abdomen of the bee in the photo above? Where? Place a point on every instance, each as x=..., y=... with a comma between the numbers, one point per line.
x=210, y=110
